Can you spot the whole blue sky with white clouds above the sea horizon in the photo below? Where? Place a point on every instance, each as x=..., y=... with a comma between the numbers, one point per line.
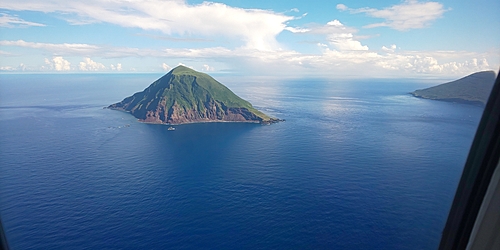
x=282, y=38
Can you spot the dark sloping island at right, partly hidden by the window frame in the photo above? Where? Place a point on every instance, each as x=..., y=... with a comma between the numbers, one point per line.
x=472, y=89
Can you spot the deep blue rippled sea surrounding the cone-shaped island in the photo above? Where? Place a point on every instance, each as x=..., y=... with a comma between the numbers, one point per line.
x=358, y=164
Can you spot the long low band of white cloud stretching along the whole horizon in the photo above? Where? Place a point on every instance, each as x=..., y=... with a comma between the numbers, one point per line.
x=330, y=61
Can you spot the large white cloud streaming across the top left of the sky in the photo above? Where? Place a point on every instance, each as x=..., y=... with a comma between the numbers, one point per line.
x=256, y=29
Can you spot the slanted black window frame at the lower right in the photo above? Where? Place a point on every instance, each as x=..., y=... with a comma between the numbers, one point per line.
x=480, y=165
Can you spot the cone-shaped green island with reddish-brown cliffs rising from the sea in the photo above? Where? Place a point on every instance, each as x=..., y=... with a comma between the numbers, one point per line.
x=184, y=95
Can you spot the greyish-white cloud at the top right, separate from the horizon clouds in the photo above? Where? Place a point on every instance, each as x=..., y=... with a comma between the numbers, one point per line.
x=411, y=14
